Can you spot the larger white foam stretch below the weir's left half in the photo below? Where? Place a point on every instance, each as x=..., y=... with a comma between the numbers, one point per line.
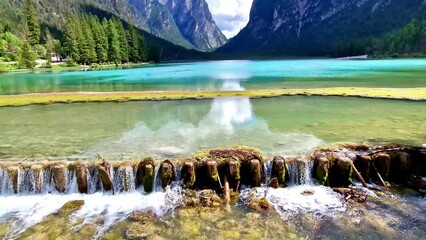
x=26, y=211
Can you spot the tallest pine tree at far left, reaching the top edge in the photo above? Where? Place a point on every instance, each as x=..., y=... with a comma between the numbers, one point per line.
x=31, y=23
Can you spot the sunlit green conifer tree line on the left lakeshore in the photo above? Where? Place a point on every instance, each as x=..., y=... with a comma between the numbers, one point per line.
x=84, y=39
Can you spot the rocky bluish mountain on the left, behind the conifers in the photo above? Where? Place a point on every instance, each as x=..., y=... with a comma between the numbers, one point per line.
x=187, y=23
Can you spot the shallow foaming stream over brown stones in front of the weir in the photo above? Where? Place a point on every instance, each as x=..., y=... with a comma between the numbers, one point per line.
x=322, y=215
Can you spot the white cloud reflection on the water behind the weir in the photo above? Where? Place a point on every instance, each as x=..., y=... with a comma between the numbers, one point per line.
x=230, y=122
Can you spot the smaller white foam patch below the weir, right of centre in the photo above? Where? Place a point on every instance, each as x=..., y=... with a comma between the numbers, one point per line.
x=290, y=201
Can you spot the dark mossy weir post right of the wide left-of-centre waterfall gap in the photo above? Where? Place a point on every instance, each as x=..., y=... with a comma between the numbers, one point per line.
x=145, y=174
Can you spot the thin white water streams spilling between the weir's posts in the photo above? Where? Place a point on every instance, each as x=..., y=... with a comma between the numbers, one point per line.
x=39, y=179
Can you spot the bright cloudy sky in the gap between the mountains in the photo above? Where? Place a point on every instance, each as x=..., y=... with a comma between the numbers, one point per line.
x=230, y=15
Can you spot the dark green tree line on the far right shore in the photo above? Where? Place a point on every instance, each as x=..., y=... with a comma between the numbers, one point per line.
x=410, y=41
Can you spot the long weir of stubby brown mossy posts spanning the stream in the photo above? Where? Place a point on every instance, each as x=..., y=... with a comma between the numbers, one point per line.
x=221, y=169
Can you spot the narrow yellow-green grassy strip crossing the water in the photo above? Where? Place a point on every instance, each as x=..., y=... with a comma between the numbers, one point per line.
x=415, y=94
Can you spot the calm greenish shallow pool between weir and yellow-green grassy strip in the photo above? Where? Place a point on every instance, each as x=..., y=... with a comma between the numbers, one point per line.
x=284, y=125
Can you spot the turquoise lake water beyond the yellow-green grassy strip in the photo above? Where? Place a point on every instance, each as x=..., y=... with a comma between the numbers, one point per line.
x=211, y=75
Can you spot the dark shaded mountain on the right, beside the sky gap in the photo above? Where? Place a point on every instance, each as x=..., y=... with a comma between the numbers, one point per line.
x=315, y=27
